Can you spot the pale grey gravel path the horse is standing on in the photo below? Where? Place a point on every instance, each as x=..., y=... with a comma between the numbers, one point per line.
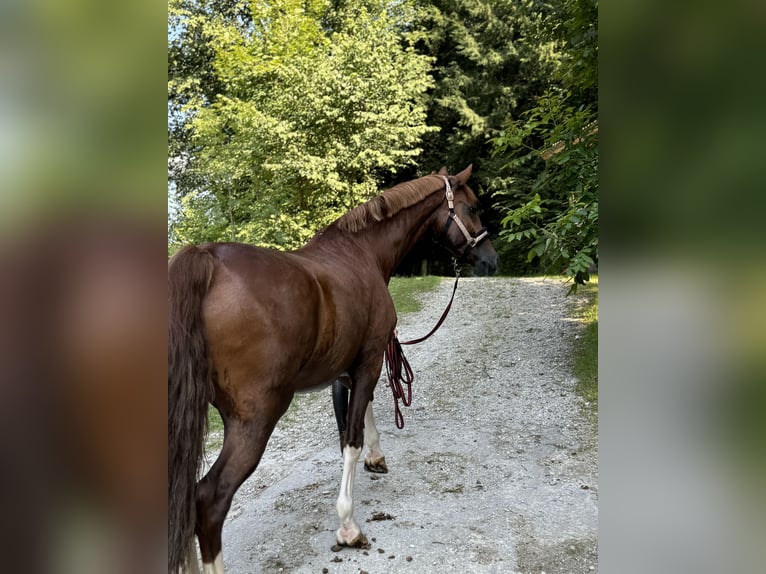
x=495, y=470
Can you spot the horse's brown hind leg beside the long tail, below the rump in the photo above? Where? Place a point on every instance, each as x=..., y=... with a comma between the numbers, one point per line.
x=243, y=446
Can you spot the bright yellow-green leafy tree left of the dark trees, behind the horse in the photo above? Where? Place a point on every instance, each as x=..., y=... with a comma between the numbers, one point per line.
x=285, y=121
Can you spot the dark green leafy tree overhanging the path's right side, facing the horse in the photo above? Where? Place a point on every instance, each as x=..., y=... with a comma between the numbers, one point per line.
x=551, y=202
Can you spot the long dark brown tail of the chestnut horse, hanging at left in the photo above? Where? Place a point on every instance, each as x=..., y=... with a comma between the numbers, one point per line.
x=190, y=388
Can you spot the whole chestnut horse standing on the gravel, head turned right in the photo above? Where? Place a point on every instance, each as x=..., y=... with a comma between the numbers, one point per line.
x=249, y=327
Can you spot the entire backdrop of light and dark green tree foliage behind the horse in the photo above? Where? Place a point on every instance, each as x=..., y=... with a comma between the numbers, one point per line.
x=285, y=114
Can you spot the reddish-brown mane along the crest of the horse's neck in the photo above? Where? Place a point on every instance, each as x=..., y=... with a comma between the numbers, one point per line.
x=389, y=203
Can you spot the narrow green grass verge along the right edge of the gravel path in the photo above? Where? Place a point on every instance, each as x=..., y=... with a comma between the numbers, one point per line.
x=586, y=345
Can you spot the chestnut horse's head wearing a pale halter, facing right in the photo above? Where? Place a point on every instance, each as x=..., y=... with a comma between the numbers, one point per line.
x=458, y=226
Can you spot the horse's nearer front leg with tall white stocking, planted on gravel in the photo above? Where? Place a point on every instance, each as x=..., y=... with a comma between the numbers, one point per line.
x=363, y=380
